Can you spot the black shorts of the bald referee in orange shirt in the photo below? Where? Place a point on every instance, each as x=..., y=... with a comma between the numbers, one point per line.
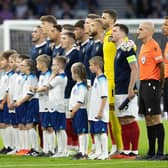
x=149, y=97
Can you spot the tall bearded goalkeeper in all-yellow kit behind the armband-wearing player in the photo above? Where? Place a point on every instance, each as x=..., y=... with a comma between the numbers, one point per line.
x=109, y=50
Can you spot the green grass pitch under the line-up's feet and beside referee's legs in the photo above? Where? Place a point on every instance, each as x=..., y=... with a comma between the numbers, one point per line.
x=40, y=162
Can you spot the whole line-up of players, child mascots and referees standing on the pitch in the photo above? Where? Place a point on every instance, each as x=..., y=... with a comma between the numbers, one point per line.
x=80, y=80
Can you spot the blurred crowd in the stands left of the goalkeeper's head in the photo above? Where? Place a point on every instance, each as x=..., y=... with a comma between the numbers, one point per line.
x=62, y=9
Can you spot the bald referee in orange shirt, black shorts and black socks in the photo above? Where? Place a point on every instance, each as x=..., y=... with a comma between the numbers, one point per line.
x=151, y=75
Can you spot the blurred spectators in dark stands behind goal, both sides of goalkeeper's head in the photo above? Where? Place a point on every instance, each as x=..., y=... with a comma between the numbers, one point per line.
x=77, y=9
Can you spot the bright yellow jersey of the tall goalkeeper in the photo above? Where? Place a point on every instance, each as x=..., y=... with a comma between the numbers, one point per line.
x=109, y=51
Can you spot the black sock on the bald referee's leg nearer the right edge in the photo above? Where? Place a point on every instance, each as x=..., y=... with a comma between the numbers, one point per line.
x=160, y=134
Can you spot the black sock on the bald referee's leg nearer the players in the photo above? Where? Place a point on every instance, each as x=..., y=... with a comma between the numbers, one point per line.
x=151, y=139
